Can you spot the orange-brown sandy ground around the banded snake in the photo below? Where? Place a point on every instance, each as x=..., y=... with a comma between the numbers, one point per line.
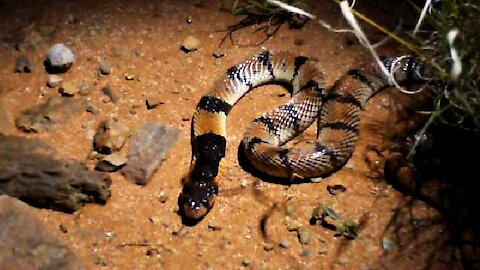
x=137, y=230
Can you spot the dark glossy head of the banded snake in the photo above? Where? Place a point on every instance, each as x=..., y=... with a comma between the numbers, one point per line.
x=197, y=198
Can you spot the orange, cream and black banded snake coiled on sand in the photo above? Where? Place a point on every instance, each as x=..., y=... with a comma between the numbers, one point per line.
x=337, y=110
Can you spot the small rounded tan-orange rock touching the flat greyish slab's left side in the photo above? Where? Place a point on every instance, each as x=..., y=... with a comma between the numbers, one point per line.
x=110, y=136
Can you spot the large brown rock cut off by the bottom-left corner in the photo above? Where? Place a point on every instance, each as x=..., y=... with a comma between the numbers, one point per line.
x=26, y=243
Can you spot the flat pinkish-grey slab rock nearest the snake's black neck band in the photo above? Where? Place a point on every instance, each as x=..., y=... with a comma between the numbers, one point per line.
x=148, y=148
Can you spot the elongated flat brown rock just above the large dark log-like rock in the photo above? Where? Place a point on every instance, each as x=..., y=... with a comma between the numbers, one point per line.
x=54, y=111
